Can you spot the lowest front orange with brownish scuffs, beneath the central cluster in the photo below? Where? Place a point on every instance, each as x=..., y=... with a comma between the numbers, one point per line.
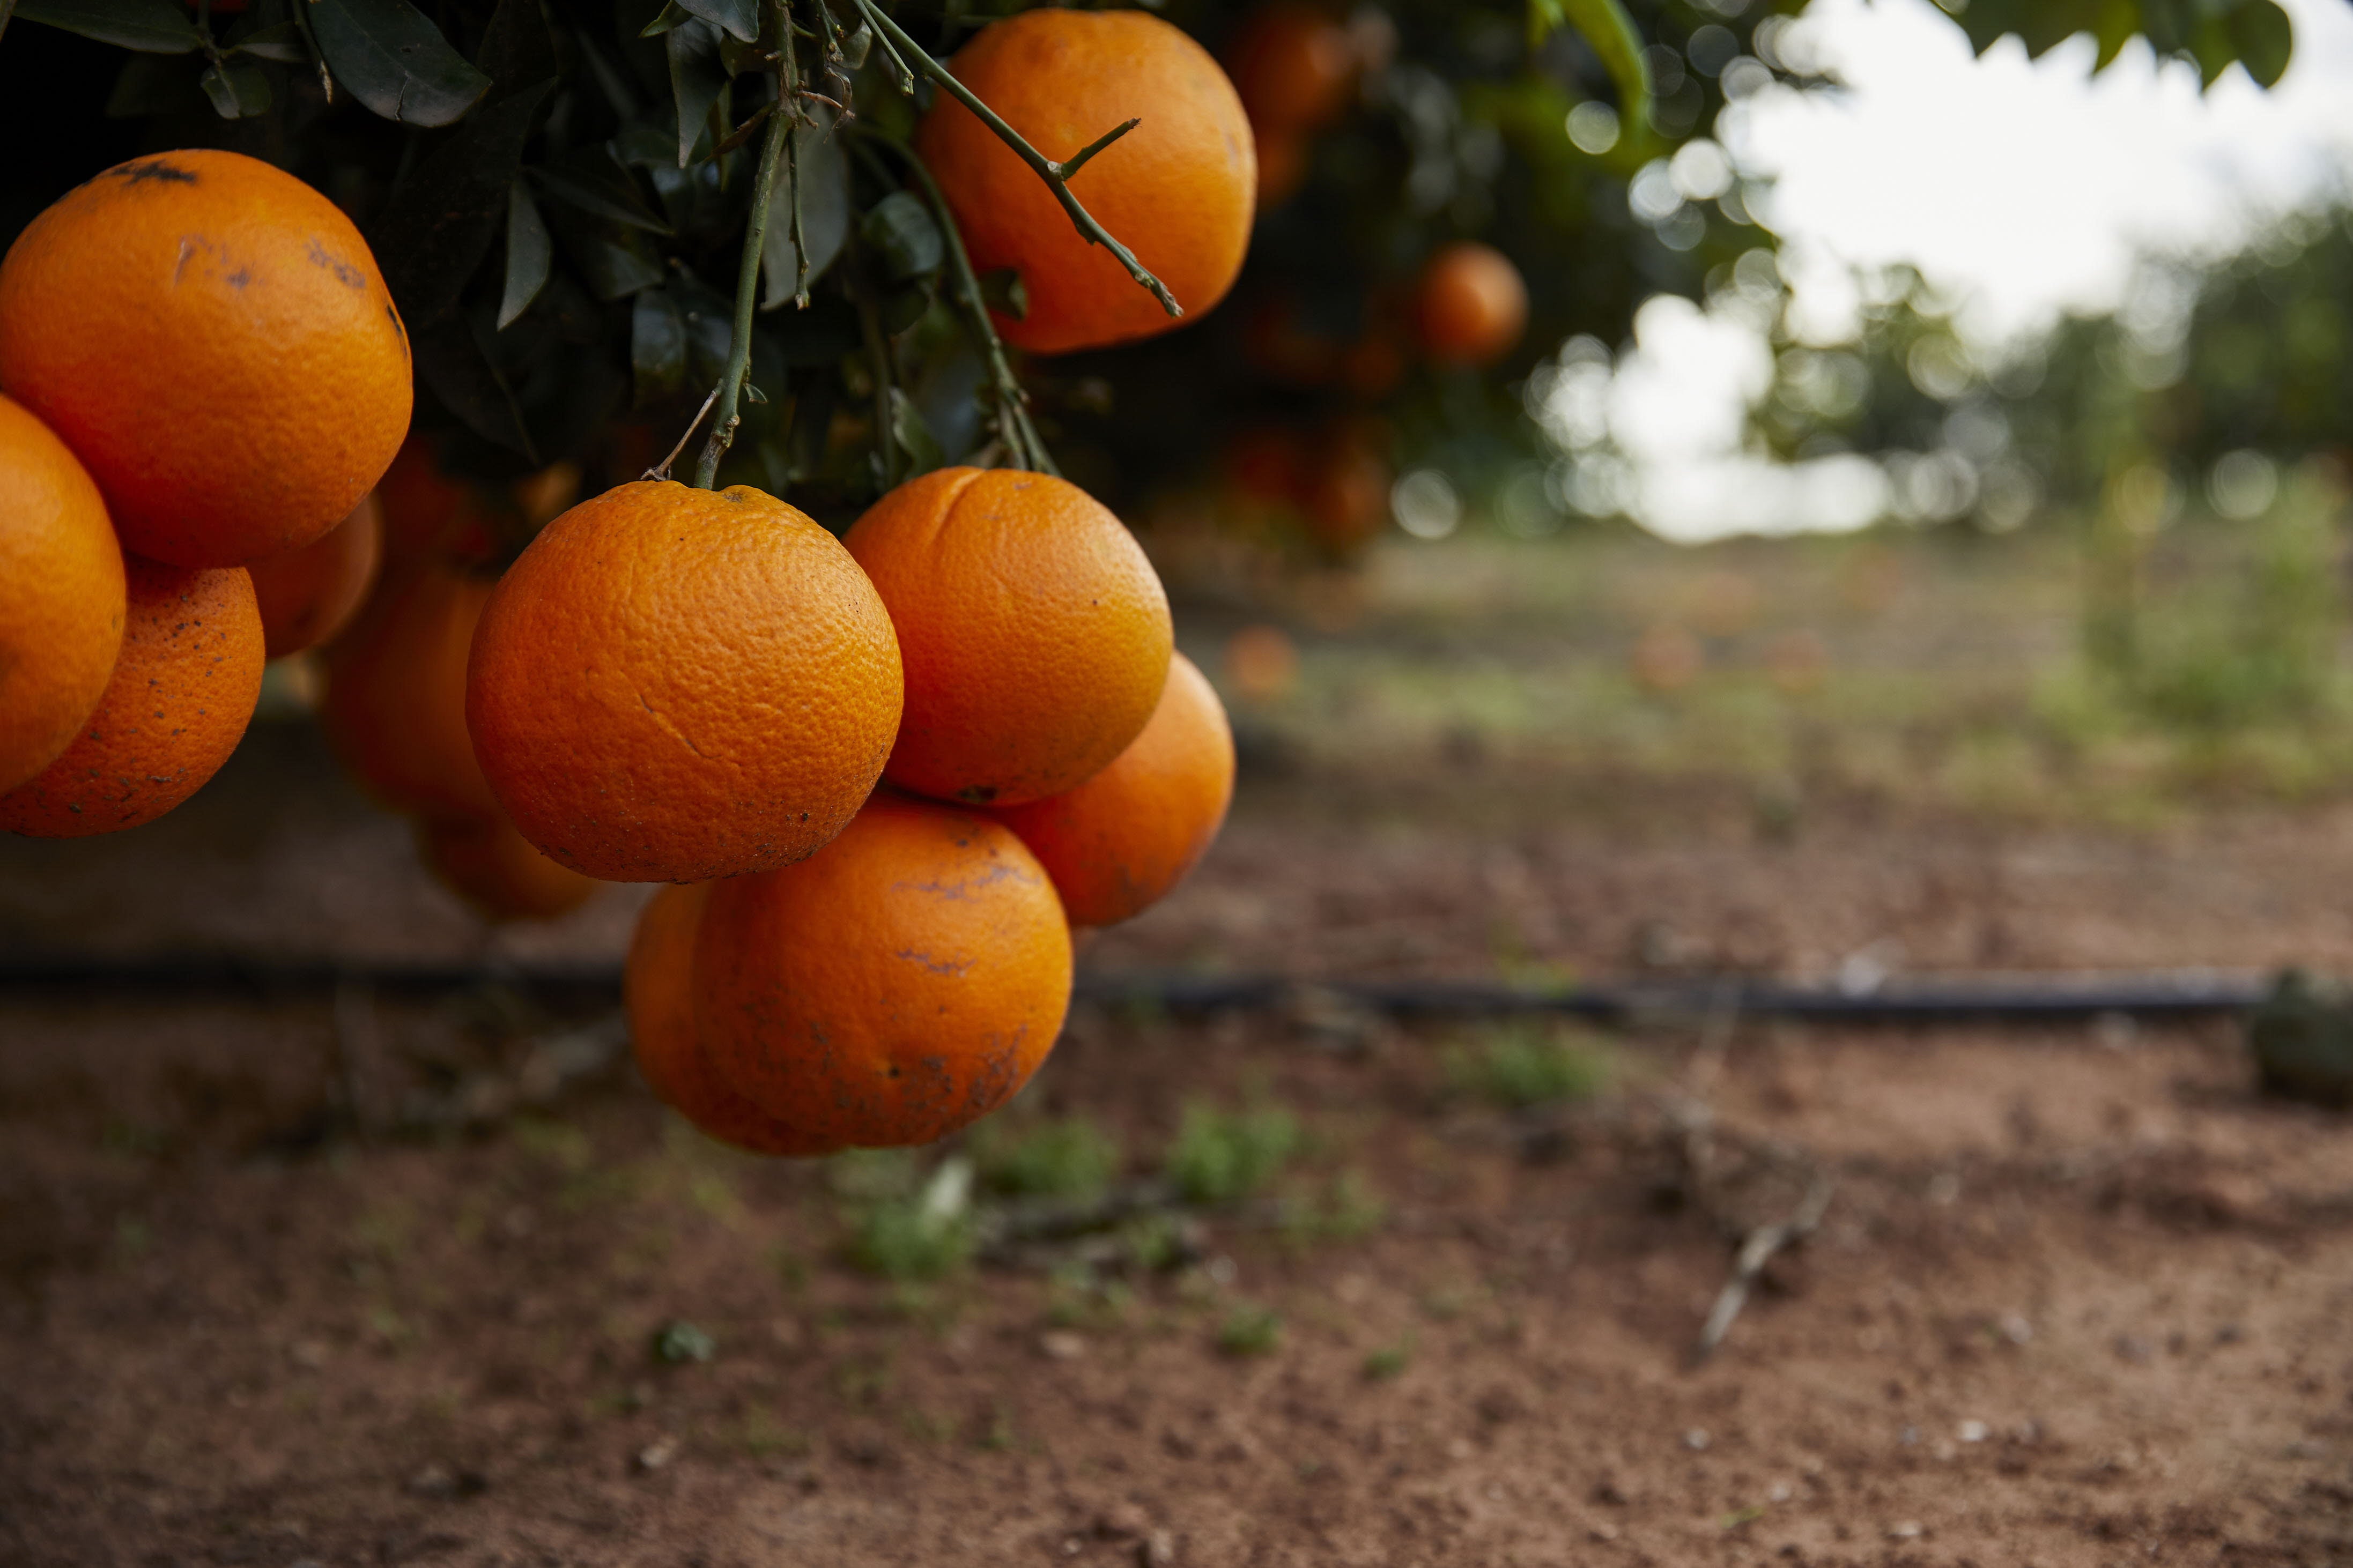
x=895, y=986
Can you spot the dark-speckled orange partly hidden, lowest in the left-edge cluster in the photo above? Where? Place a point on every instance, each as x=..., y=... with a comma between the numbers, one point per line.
x=178, y=704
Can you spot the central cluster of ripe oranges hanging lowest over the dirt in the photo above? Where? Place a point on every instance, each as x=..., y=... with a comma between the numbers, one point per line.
x=1048, y=760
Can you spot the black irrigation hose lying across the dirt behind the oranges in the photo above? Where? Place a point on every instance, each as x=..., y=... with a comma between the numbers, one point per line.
x=2178, y=993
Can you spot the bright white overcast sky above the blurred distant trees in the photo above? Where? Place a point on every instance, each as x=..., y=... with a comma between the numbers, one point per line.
x=2020, y=189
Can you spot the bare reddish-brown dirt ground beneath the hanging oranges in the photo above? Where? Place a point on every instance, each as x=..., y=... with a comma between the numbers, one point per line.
x=2079, y=1294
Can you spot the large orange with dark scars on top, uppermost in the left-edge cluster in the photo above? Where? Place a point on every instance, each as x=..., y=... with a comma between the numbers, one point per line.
x=213, y=340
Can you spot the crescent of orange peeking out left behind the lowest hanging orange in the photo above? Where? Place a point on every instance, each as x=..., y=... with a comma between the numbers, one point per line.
x=660, y=996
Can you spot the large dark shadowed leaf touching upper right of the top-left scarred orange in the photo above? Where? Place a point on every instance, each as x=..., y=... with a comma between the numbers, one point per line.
x=441, y=220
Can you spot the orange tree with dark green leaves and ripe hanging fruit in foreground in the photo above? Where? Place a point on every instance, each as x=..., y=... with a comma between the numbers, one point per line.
x=832, y=262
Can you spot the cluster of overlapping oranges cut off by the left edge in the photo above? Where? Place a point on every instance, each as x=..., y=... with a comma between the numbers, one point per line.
x=204, y=377
